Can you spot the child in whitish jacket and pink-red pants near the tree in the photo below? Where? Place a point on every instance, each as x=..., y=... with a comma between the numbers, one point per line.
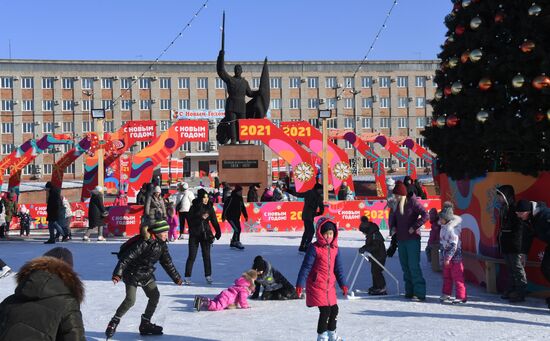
x=453, y=269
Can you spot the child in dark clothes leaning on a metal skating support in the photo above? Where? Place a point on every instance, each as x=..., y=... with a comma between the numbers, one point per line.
x=374, y=244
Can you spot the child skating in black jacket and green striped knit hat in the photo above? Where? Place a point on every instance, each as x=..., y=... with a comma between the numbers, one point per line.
x=135, y=268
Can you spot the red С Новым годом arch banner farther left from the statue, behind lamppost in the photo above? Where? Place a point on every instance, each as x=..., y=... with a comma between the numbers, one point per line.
x=114, y=145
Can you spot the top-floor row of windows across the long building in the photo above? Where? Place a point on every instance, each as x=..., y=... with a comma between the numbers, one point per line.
x=87, y=83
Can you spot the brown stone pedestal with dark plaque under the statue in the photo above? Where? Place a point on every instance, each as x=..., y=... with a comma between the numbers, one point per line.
x=242, y=164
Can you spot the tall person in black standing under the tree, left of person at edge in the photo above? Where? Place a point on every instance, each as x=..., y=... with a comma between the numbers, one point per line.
x=510, y=242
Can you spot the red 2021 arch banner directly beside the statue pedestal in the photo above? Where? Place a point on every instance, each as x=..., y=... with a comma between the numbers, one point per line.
x=282, y=145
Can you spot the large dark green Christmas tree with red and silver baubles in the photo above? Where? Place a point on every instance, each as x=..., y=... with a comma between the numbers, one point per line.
x=492, y=103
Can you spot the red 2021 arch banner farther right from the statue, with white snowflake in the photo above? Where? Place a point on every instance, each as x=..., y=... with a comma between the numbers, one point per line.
x=337, y=158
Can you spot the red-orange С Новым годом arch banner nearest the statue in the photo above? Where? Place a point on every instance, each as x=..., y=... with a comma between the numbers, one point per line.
x=161, y=148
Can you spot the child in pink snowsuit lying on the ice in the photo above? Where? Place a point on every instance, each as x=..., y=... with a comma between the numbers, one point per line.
x=232, y=297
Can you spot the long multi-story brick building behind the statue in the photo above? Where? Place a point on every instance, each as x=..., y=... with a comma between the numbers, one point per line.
x=38, y=97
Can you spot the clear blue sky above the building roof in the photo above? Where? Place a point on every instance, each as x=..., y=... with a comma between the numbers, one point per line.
x=278, y=29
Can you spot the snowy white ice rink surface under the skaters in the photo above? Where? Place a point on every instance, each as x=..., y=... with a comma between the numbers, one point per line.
x=485, y=317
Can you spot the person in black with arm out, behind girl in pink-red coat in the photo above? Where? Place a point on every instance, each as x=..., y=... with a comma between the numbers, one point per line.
x=313, y=206
